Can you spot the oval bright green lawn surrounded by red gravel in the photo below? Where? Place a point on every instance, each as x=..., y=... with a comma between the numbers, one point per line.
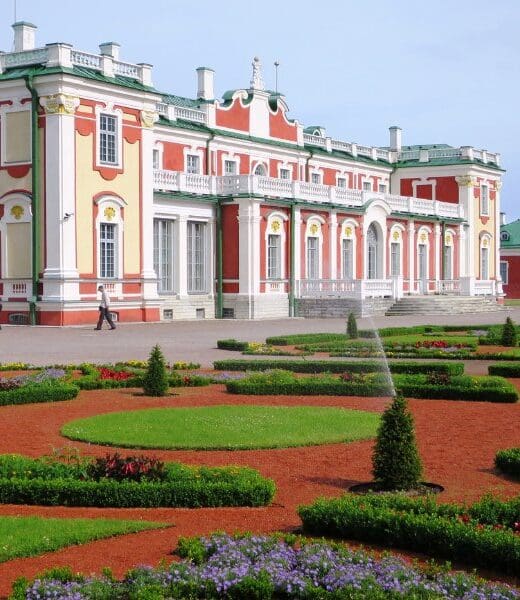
x=225, y=427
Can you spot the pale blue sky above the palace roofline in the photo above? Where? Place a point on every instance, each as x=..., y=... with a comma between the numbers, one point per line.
x=446, y=71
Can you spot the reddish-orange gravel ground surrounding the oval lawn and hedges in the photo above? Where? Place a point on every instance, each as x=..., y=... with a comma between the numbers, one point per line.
x=457, y=442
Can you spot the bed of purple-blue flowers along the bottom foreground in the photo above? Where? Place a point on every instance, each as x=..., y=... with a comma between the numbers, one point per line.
x=267, y=567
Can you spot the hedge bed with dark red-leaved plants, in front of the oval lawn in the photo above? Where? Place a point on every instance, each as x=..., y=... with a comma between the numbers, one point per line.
x=82, y=483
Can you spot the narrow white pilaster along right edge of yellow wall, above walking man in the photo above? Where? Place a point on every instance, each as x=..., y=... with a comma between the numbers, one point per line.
x=148, y=274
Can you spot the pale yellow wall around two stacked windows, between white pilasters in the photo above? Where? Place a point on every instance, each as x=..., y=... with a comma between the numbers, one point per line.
x=89, y=183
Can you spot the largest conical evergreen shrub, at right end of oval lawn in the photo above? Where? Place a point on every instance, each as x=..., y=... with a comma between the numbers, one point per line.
x=396, y=464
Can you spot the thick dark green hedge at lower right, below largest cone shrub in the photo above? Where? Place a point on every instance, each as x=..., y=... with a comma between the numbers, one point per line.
x=454, y=532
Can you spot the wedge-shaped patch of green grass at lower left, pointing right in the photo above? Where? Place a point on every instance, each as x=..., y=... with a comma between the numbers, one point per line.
x=30, y=536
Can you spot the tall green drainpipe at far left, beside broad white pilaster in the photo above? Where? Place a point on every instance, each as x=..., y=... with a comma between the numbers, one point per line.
x=35, y=185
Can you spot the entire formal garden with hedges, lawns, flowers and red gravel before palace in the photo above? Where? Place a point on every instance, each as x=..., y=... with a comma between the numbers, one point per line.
x=114, y=466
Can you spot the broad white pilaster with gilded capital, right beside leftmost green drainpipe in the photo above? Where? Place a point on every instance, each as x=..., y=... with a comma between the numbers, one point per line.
x=60, y=277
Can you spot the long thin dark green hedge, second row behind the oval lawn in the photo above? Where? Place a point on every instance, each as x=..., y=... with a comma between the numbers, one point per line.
x=337, y=366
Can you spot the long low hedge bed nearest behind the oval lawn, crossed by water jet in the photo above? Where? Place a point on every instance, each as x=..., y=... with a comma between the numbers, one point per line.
x=462, y=387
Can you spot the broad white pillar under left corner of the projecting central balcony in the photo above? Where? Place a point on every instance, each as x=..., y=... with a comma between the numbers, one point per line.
x=249, y=251
